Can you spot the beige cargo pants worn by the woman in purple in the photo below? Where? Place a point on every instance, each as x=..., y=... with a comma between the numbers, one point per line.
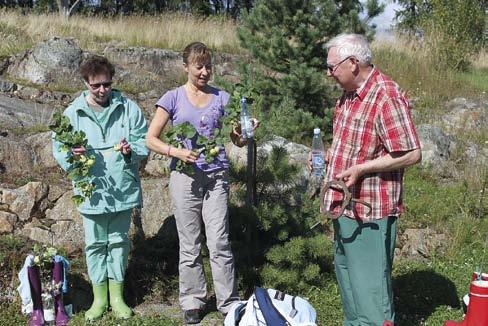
x=200, y=201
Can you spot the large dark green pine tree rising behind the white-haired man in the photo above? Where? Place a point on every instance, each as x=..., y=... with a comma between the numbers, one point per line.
x=285, y=39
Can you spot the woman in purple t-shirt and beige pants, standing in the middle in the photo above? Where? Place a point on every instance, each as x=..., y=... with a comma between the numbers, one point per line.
x=200, y=200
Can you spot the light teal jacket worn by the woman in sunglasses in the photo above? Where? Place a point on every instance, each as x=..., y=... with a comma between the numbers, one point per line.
x=116, y=176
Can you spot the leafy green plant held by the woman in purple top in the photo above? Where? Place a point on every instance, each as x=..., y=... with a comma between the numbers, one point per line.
x=210, y=146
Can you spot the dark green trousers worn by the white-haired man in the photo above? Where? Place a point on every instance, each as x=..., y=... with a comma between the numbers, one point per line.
x=363, y=257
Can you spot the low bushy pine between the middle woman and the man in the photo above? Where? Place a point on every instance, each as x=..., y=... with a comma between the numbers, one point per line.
x=273, y=243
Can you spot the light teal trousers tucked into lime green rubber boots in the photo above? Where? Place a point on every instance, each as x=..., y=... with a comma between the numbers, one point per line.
x=107, y=245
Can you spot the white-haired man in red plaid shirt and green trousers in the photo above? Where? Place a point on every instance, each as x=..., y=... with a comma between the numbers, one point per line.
x=374, y=139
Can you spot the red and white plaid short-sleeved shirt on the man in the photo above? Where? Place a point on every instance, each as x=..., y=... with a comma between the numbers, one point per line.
x=369, y=123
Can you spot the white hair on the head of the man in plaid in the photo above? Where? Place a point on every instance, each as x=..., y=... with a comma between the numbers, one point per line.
x=352, y=45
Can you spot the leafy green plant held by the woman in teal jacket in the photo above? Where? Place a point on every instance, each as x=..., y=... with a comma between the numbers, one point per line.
x=80, y=165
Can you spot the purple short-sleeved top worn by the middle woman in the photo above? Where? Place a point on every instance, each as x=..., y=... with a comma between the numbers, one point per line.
x=180, y=110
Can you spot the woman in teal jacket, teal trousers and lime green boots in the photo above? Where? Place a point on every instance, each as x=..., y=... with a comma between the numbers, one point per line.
x=115, y=129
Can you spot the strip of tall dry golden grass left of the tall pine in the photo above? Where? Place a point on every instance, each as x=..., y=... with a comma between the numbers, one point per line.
x=169, y=31
